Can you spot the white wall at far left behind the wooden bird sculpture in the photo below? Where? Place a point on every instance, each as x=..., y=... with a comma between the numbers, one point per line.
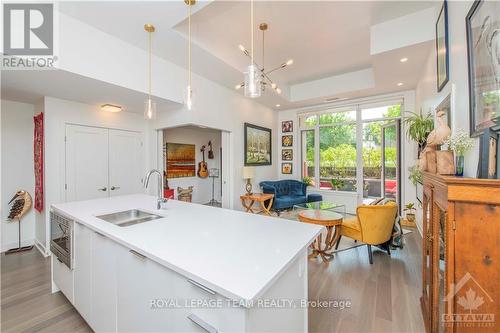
x=17, y=170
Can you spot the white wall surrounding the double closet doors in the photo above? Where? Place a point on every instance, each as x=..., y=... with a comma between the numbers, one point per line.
x=58, y=113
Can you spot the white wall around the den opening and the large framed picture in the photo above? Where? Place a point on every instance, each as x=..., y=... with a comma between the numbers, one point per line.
x=221, y=108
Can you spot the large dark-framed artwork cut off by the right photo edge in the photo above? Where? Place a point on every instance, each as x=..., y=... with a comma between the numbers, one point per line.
x=483, y=51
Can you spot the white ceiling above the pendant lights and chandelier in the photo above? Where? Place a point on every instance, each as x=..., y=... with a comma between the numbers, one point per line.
x=323, y=37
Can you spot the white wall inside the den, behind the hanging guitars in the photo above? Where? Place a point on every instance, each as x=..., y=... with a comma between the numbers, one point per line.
x=202, y=192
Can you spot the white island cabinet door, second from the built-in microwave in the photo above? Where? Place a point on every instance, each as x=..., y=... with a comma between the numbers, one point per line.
x=104, y=284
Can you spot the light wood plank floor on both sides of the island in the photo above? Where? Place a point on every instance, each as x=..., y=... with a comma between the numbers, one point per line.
x=384, y=296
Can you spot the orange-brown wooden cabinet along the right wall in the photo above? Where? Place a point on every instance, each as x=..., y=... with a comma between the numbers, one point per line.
x=461, y=254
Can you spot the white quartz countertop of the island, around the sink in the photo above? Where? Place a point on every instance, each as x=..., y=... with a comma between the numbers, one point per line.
x=236, y=254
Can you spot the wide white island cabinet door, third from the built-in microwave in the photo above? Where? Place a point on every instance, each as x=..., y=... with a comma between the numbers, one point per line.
x=142, y=284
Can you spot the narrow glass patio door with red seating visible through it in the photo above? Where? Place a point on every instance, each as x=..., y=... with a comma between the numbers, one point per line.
x=391, y=161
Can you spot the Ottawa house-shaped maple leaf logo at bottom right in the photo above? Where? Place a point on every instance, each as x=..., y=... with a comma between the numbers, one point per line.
x=471, y=299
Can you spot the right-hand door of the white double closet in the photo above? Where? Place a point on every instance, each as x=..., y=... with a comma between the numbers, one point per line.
x=126, y=162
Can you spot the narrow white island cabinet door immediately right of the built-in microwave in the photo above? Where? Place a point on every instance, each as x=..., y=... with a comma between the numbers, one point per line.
x=82, y=271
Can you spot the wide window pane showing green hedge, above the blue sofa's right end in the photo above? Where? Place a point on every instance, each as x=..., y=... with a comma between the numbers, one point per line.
x=338, y=157
